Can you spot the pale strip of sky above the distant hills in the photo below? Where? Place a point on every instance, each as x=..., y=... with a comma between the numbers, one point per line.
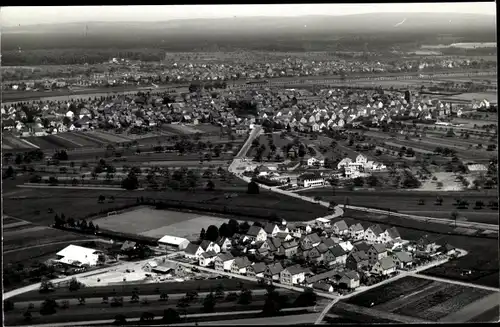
x=12, y=16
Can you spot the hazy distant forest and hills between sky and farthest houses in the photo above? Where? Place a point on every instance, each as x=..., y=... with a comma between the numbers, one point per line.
x=67, y=44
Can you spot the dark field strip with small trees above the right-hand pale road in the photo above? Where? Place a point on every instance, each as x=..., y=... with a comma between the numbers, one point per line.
x=408, y=202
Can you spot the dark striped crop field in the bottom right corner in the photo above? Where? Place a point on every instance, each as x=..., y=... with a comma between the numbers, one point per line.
x=421, y=298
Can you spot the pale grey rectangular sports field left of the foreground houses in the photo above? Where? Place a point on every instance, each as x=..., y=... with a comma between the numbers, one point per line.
x=158, y=223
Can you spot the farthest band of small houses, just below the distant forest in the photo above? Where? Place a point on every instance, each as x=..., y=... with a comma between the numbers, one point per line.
x=123, y=71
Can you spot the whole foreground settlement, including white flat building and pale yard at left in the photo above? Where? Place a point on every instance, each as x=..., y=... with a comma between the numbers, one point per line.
x=319, y=255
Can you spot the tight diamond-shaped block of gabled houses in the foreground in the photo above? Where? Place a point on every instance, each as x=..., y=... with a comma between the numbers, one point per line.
x=290, y=253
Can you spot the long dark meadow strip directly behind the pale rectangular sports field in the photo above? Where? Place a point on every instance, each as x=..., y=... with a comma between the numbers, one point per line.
x=80, y=203
